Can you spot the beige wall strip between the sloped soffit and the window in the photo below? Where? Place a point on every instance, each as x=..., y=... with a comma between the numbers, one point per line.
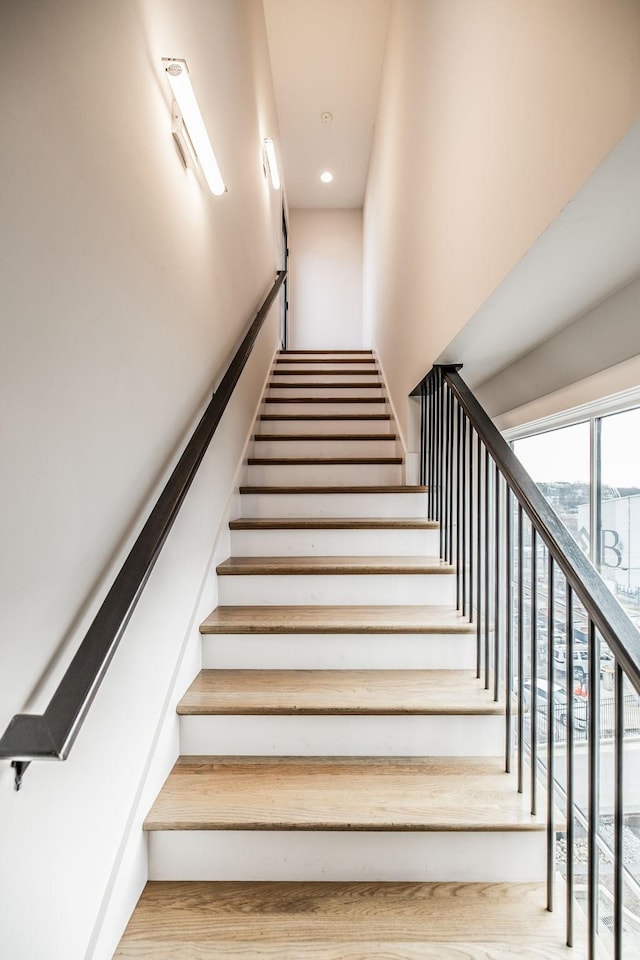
x=604, y=337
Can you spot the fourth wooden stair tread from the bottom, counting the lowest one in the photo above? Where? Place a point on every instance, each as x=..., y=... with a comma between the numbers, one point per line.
x=425, y=619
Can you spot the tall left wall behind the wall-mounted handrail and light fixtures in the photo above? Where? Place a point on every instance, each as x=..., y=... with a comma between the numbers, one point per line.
x=125, y=288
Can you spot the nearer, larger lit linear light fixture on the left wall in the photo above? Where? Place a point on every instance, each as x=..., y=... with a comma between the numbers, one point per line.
x=197, y=141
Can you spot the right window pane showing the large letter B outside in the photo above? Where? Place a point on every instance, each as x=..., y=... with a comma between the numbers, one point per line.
x=620, y=508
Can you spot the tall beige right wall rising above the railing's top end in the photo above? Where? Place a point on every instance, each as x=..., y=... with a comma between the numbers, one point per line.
x=491, y=116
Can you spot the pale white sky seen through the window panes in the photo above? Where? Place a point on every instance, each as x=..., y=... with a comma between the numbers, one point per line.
x=563, y=455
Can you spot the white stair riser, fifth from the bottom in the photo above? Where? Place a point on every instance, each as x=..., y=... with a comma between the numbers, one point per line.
x=336, y=543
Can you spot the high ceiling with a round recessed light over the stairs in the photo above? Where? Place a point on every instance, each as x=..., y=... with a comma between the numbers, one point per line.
x=326, y=55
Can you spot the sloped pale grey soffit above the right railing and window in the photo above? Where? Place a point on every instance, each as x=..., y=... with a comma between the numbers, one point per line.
x=591, y=249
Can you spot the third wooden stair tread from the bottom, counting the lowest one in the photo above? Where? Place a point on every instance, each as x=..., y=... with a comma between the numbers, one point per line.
x=352, y=692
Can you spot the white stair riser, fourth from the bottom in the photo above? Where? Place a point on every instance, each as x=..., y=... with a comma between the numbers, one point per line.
x=354, y=589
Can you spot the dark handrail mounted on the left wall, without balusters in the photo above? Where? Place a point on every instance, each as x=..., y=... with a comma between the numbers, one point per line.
x=51, y=735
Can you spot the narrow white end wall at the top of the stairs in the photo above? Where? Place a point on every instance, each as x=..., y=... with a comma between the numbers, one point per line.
x=325, y=298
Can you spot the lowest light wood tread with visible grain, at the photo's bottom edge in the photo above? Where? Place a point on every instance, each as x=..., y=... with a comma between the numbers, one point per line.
x=344, y=921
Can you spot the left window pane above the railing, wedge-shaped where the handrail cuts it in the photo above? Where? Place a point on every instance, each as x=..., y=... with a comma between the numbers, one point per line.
x=559, y=462
